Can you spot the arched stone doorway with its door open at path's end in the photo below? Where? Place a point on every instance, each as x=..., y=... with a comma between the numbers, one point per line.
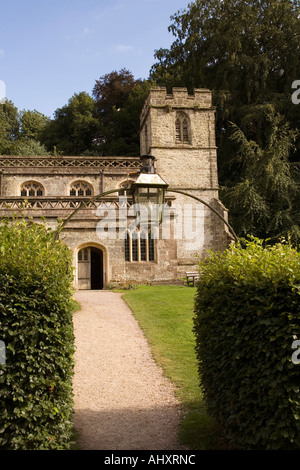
x=90, y=268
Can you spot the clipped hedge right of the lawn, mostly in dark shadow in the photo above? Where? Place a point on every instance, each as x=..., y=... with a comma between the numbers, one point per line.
x=247, y=317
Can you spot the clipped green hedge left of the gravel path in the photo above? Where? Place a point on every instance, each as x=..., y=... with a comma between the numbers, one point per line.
x=36, y=400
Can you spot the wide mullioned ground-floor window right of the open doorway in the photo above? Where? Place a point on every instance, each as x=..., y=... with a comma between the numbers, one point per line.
x=139, y=247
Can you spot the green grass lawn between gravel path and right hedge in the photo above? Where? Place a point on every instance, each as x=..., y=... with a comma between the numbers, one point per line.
x=165, y=314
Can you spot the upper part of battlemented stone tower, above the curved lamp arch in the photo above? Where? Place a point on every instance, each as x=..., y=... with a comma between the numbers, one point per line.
x=179, y=130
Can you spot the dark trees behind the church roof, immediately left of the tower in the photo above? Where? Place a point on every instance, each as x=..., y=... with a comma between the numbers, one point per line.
x=107, y=124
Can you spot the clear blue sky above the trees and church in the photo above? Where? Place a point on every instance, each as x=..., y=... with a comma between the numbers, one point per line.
x=51, y=49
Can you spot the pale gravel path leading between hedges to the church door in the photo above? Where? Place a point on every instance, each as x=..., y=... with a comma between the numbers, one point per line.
x=122, y=400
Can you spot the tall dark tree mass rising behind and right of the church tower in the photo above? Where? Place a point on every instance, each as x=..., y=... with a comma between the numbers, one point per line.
x=248, y=54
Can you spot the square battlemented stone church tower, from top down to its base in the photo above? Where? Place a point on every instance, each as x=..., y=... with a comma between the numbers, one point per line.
x=179, y=130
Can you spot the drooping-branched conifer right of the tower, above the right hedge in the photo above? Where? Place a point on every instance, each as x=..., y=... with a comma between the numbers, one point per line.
x=264, y=197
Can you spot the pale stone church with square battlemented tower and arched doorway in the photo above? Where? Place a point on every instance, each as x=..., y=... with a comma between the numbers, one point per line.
x=179, y=130
